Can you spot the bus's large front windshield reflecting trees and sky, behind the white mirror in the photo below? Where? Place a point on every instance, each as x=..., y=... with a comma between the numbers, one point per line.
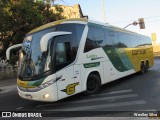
x=32, y=61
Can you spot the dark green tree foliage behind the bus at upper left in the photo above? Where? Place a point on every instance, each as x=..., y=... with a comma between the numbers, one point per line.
x=17, y=17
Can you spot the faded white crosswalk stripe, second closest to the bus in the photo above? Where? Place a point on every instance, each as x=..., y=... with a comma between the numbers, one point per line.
x=94, y=99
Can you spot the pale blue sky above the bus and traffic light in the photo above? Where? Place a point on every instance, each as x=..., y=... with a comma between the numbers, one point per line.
x=120, y=13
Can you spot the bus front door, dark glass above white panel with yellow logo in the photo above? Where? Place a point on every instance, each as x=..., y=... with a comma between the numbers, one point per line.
x=65, y=77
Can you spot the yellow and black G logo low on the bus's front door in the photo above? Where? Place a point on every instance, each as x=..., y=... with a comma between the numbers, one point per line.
x=70, y=89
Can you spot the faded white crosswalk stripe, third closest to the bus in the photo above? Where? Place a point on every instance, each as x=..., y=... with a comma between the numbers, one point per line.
x=96, y=107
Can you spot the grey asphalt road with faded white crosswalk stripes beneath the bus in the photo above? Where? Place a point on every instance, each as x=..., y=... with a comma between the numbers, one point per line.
x=133, y=93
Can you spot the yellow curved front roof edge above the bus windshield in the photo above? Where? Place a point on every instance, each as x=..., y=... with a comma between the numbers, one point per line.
x=56, y=23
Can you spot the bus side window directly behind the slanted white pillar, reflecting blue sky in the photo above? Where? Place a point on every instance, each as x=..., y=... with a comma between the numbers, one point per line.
x=95, y=38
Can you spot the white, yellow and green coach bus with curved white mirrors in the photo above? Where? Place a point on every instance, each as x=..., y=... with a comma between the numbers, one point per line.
x=66, y=57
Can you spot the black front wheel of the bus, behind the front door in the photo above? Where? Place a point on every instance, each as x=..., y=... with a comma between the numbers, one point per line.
x=93, y=84
